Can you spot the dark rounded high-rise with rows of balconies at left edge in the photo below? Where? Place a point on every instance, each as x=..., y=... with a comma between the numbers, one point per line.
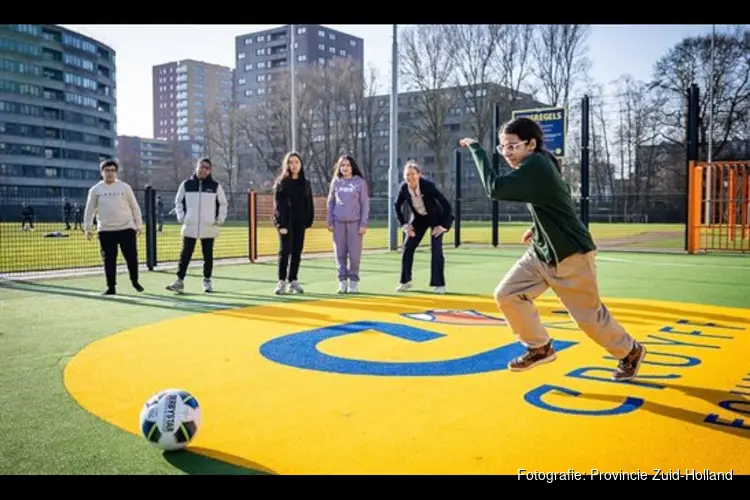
x=57, y=112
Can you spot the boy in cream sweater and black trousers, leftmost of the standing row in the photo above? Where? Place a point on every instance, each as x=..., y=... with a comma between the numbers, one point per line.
x=120, y=221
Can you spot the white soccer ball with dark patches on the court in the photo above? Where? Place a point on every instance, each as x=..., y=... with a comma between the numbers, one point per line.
x=170, y=419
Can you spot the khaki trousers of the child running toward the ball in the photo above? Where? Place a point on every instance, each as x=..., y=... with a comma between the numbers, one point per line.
x=574, y=281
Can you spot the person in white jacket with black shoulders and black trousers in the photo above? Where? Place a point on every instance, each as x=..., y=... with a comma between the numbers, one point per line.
x=201, y=207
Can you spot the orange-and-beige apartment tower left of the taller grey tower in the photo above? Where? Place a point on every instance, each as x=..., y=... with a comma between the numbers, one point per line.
x=184, y=92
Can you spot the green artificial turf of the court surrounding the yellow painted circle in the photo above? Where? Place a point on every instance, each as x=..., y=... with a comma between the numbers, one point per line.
x=46, y=323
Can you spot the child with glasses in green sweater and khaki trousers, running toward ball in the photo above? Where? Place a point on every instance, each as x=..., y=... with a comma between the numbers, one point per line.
x=561, y=256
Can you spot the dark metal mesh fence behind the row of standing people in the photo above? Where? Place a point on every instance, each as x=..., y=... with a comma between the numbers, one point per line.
x=51, y=239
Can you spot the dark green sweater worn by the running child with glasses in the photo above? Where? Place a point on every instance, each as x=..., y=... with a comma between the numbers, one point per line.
x=558, y=232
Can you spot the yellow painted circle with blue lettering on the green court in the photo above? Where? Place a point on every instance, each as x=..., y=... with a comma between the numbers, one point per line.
x=417, y=384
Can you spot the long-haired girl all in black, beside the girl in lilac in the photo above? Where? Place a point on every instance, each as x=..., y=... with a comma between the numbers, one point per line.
x=293, y=214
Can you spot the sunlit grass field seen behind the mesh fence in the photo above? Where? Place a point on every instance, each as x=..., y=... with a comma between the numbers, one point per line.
x=22, y=251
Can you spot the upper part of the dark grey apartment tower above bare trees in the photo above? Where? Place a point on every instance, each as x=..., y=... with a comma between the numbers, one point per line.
x=260, y=54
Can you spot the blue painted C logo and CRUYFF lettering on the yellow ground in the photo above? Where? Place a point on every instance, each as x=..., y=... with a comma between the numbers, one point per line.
x=300, y=350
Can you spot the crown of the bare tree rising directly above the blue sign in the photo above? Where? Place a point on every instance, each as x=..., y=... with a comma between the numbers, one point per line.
x=561, y=61
